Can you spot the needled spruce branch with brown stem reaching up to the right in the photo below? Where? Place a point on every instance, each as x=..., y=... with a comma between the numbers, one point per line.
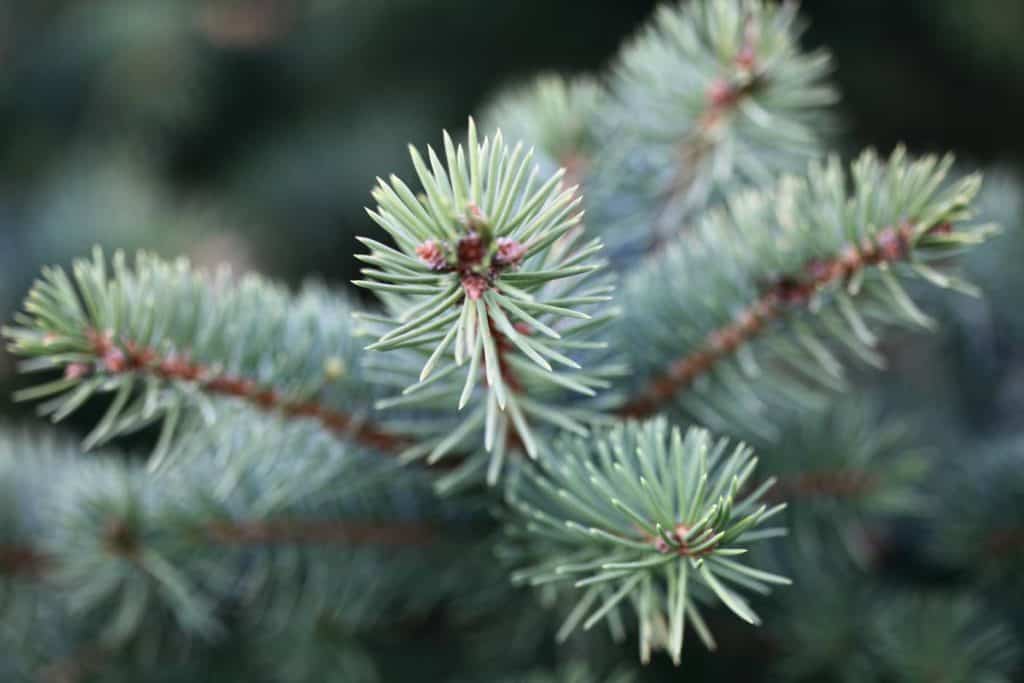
x=817, y=261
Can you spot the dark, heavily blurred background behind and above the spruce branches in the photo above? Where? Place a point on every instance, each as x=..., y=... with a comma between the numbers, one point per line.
x=251, y=132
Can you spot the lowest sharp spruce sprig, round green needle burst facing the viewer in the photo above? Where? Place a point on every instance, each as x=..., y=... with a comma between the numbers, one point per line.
x=645, y=517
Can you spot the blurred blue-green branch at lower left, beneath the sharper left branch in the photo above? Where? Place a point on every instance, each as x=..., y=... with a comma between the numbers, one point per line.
x=112, y=538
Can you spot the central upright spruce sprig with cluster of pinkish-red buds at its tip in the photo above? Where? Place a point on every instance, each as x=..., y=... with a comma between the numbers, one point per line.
x=491, y=271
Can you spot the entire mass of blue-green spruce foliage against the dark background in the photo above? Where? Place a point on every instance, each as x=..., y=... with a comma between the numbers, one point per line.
x=510, y=441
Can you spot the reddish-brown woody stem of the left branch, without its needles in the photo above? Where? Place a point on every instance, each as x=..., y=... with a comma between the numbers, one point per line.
x=134, y=359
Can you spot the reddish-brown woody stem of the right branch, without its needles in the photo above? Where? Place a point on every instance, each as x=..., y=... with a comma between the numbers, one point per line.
x=786, y=294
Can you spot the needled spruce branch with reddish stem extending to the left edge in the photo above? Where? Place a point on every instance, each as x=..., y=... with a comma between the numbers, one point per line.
x=165, y=339
